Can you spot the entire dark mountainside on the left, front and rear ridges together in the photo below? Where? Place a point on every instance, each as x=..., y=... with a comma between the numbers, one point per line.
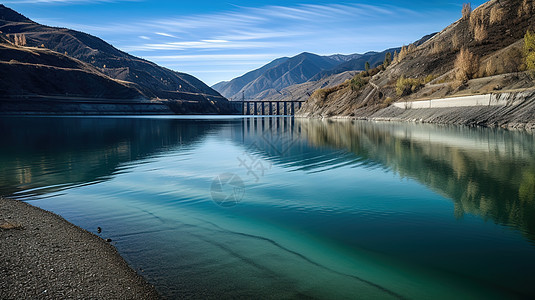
x=61, y=61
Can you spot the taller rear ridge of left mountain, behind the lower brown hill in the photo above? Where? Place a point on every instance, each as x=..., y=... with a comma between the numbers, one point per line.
x=150, y=80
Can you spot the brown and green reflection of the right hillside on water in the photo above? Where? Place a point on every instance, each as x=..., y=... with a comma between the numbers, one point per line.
x=486, y=172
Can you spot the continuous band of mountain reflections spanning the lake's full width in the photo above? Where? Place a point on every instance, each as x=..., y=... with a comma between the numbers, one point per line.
x=486, y=172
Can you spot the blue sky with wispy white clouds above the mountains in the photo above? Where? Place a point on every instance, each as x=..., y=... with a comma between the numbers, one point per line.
x=220, y=40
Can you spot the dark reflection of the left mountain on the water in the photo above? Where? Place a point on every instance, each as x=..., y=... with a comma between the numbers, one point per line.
x=45, y=154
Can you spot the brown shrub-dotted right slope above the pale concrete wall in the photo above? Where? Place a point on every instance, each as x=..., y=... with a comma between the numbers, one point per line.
x=493, y=33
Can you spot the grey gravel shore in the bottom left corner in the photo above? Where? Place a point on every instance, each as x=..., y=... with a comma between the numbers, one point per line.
x=42, y=256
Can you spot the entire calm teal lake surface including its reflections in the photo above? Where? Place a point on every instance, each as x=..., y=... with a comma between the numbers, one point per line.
x=290, y=208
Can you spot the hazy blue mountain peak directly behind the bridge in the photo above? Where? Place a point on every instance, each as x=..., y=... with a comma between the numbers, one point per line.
x=276, y=75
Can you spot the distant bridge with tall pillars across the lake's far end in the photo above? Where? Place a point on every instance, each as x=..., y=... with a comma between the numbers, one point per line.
x=267, y=108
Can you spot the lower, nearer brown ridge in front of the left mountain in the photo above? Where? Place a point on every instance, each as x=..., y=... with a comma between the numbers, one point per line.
x=26, y=70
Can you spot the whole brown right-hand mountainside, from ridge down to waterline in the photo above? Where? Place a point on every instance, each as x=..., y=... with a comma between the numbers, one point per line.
x=487, y=45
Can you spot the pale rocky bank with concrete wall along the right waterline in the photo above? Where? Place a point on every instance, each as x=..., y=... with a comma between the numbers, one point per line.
x=510, y=110
